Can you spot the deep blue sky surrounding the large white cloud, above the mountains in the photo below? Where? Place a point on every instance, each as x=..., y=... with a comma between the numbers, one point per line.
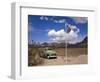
x=38, y=26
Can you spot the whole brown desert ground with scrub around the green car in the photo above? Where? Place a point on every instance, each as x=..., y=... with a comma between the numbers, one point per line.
x=73, y=56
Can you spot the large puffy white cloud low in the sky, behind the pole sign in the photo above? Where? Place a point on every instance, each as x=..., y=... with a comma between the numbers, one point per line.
x=63, y=36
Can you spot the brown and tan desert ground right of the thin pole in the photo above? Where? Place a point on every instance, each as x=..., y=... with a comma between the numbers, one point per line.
x=77, y=56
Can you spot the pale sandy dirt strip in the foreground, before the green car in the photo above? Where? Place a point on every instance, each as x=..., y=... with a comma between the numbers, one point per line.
x=61, y=60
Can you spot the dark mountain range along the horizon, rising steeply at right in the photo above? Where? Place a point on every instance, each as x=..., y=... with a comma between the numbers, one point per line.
x=82, y=44
